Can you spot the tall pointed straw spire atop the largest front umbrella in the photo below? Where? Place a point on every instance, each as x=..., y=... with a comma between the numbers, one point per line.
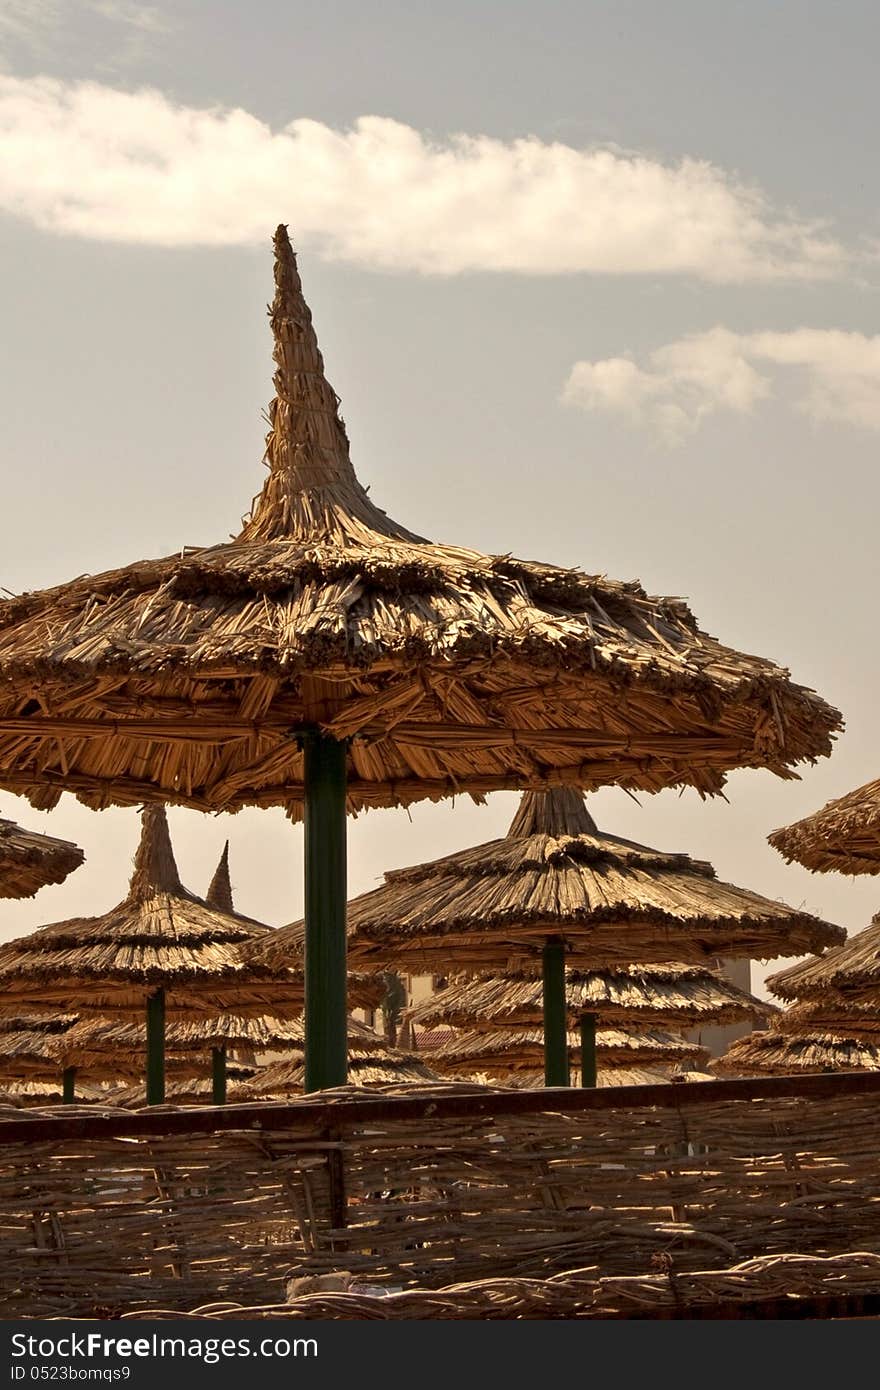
x=312, y=491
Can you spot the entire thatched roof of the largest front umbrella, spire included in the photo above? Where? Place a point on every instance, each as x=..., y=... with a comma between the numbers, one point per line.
x=186, y=679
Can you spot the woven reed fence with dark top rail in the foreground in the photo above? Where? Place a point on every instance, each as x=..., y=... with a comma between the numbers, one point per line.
x=105, y=1214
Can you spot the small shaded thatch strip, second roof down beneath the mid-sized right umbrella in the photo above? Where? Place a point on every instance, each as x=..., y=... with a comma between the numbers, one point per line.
x=515, y=1049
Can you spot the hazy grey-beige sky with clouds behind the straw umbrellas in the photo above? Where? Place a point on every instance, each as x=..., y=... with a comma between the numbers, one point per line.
x=598, y=284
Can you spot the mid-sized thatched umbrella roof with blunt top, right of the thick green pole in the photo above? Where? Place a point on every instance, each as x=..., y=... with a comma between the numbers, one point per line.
x=489, y=910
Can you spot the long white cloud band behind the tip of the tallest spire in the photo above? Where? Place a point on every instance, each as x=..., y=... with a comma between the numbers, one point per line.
x=88, y=161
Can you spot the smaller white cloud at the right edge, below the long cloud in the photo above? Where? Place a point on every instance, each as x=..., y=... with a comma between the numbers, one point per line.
x=833, y=376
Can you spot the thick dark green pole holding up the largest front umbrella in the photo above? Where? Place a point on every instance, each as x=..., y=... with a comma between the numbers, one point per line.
x=326, y=904
